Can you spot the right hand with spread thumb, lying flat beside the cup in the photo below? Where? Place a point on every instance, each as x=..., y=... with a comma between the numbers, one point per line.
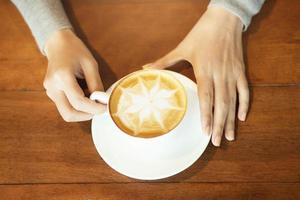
x=214, y=48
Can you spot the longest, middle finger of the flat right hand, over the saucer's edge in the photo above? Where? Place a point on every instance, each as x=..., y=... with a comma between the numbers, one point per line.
x=220, y=111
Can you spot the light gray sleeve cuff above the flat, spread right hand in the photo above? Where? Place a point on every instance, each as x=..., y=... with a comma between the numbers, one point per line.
x=244, y=9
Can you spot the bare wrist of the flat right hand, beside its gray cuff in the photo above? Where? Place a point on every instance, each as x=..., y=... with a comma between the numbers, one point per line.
x=224, y=19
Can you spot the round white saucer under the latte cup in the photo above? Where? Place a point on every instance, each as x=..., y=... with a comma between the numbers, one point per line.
x=151, y=159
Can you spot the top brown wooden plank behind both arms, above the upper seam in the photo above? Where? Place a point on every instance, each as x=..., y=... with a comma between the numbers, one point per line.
x=124, y=35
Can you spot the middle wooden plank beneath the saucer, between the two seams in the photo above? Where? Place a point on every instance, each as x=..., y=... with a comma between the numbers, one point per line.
x=37, y=146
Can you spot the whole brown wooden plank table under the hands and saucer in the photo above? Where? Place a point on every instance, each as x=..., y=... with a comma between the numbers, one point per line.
x=42, y=157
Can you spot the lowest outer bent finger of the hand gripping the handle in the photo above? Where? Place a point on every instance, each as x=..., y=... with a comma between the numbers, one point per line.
x=68, y=113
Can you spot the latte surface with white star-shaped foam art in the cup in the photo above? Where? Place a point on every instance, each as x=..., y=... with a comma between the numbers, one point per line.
x=148, y=103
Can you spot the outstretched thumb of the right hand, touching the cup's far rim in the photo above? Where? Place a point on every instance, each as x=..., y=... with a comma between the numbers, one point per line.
x=168, y=60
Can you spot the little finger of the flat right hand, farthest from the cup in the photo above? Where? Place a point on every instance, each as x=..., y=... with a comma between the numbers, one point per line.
x=243, y=91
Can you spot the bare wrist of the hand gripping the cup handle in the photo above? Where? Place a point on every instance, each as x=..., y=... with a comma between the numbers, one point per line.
x=57, y=38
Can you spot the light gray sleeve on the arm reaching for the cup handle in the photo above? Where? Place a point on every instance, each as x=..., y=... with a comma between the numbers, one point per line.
x=43, y=18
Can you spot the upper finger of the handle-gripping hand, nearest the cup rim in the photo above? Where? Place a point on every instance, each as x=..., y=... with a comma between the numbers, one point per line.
x=91, y=73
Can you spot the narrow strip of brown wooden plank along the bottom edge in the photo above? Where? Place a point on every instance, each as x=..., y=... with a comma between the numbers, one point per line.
x=154, y=191
